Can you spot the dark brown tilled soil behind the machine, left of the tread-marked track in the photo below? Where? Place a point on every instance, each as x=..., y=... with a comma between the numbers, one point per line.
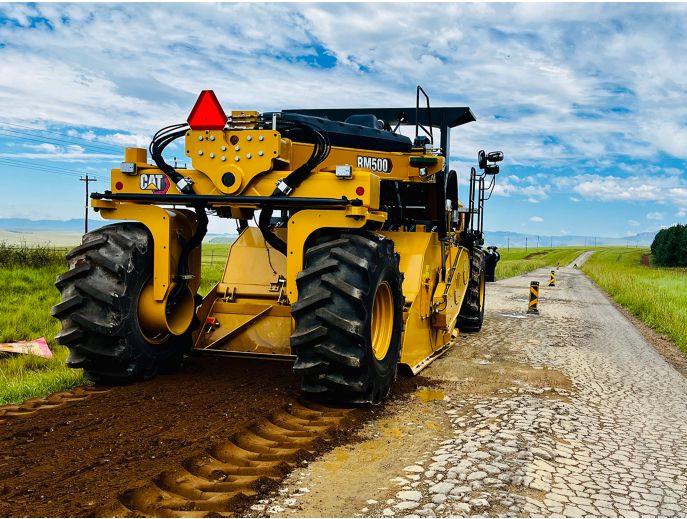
x=70, y=460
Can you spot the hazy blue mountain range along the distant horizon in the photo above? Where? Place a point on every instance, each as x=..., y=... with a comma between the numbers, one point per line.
x=498, y=238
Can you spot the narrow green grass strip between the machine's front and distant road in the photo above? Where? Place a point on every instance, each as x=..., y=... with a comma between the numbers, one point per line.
x=520, y=261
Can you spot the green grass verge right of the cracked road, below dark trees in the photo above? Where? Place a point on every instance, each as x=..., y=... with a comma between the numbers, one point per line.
x=658, y=296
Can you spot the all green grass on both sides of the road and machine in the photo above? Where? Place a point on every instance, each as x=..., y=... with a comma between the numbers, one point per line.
x=29, y=293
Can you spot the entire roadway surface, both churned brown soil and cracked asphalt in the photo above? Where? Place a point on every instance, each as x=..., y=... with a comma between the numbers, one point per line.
x=570, y=412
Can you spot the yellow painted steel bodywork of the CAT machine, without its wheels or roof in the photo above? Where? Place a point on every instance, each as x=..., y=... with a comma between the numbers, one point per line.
x=248, y=311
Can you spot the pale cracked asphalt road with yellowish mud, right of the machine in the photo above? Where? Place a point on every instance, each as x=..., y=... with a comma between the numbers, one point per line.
x=567, y=413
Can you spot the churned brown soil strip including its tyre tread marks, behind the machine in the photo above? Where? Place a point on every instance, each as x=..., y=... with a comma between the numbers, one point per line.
x=207, y=440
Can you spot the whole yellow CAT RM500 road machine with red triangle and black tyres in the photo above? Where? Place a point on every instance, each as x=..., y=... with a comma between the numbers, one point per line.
x=360, y=256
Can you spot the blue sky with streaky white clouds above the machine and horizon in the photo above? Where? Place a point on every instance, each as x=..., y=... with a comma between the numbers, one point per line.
x=587, y=101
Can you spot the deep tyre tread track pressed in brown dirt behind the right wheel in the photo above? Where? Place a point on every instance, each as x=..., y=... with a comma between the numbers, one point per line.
x=223, y=478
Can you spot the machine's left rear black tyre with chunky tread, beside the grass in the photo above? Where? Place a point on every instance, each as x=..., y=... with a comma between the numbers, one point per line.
x=99, y=308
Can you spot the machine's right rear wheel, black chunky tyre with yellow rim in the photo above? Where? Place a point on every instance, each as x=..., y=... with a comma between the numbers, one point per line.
x=336, y=318
